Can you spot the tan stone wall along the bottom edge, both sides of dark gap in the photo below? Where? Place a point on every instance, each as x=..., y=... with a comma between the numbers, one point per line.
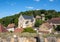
x=28, y=39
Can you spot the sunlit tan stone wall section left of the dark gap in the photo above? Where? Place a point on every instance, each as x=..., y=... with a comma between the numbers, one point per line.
x=18, y=39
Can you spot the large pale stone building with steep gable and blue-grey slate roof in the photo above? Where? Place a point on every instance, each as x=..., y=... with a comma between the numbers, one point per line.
x=26, y=21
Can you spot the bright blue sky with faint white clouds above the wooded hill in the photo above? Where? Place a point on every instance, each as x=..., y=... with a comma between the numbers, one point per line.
x=11, y=7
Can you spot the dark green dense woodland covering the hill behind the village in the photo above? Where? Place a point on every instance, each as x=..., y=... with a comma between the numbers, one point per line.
x=14, y=18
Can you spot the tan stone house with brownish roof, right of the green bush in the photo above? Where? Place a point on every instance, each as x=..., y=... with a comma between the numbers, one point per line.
x=45, y=28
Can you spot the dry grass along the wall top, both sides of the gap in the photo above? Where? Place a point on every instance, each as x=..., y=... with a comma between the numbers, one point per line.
x=26, y=34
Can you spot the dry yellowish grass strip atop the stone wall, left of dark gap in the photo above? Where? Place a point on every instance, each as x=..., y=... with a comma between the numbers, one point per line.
x=26, y=34
